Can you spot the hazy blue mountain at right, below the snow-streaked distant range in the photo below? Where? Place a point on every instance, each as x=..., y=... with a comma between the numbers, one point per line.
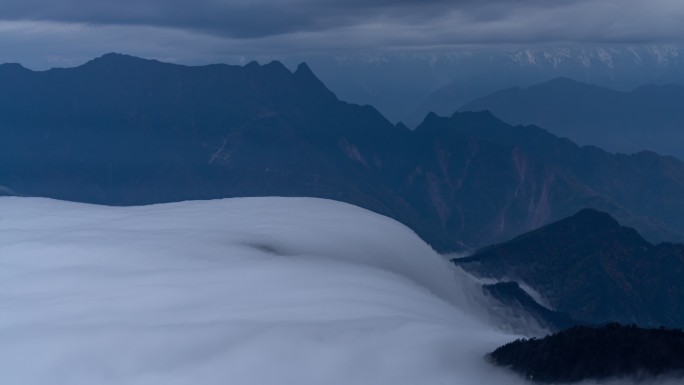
x=646, y=118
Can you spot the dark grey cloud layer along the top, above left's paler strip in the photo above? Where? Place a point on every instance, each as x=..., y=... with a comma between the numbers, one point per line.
x=277, y=26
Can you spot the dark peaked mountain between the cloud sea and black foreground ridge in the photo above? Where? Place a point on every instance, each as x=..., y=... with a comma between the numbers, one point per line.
x=593, y=269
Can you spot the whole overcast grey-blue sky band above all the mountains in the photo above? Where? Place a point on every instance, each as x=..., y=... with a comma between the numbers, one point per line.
x=45, y=33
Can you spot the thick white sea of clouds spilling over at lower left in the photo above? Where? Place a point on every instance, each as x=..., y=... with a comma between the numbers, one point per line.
x=234, y=291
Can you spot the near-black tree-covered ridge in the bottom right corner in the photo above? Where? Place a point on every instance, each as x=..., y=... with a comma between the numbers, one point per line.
x=583, y=353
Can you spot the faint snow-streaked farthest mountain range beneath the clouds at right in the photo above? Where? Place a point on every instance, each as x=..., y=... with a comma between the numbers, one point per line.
x=406, y=86
